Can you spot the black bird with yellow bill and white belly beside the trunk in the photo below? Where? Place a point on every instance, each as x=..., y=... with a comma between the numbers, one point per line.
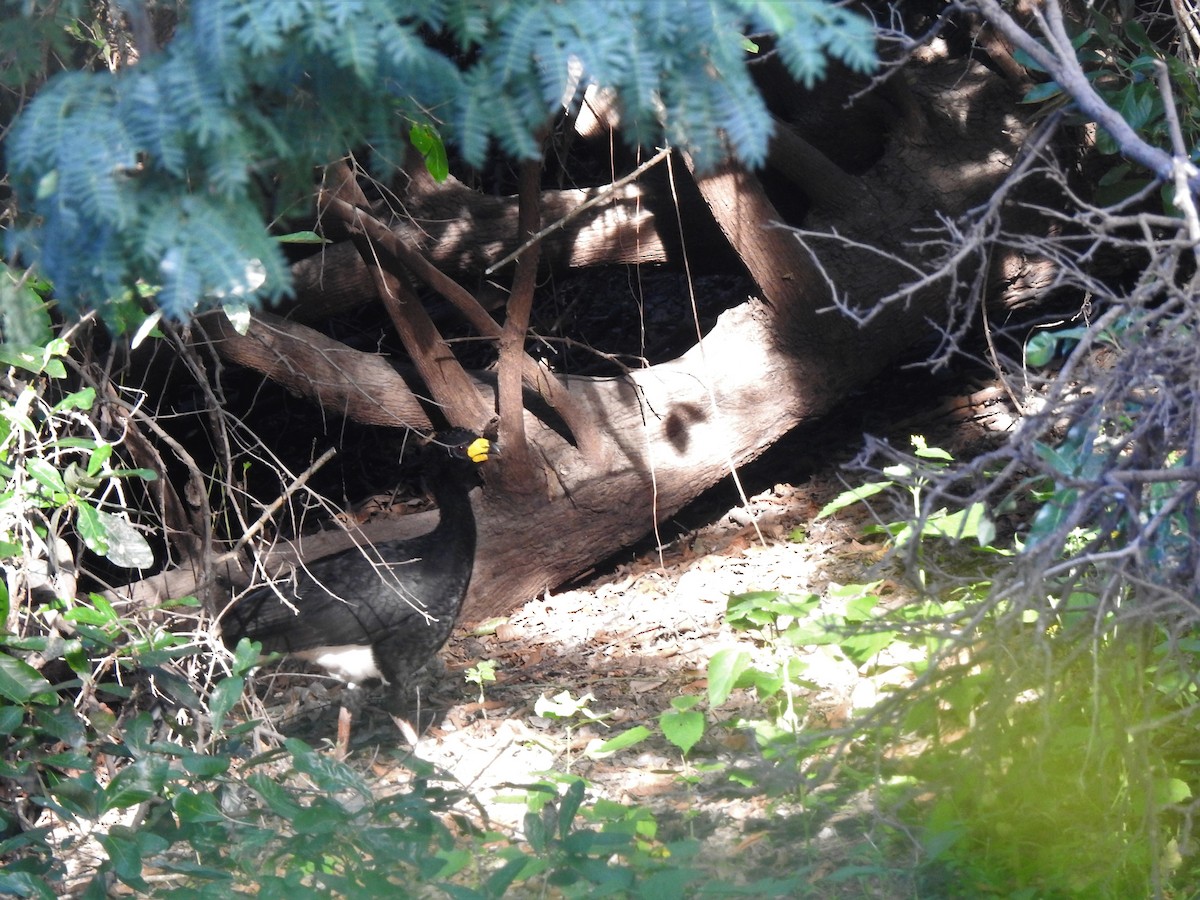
x=385, y=613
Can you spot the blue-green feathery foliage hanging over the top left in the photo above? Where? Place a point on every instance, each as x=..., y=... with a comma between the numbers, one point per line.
x=167, y=172
